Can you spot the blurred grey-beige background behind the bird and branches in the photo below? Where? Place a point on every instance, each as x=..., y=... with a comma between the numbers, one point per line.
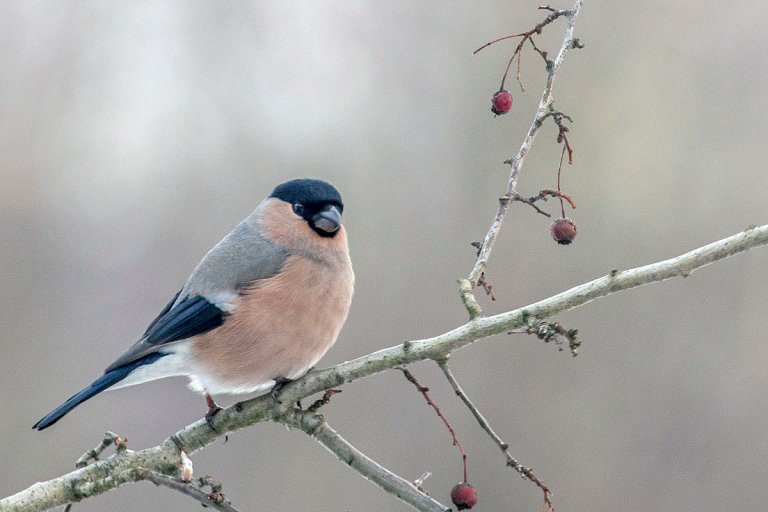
x=133, y=136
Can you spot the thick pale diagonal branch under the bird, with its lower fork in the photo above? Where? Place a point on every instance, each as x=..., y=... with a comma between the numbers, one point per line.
x=165, y=458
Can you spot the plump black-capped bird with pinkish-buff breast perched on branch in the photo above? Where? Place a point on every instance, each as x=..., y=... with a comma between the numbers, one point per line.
x=260, y=309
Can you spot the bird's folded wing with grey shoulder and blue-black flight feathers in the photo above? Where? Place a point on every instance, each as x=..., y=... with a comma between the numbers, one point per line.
x=240, y=259
